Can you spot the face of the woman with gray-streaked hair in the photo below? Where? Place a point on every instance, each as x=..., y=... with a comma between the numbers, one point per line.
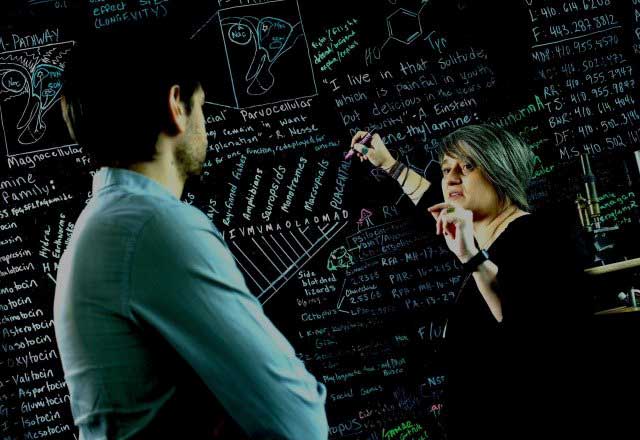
x=465, y=185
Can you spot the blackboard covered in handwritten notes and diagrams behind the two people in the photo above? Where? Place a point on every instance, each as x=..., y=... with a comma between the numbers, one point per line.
x=340, y=260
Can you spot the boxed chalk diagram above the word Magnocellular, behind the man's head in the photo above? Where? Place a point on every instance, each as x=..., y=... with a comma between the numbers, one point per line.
x=30, y=85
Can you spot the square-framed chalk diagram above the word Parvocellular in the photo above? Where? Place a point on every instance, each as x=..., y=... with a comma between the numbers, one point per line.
x=266, y=52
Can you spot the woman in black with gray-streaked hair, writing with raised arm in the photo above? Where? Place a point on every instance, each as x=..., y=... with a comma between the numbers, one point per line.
x=511, y=336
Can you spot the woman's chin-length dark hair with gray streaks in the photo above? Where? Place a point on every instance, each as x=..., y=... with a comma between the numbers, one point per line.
x=504, y=159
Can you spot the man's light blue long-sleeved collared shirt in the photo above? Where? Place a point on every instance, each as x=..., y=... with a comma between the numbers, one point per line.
x=151, y=311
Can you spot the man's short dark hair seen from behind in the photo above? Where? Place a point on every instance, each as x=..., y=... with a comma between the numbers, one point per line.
x=117, y=90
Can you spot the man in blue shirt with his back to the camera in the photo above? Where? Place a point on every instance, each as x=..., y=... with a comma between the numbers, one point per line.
x=158, y=334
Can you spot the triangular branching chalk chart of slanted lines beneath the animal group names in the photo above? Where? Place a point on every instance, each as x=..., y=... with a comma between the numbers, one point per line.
x=271, y=260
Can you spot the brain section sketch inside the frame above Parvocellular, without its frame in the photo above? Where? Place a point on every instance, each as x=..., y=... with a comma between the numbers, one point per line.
x=272, y=37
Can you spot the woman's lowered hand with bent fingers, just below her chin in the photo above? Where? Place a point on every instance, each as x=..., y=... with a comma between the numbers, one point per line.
x=456, y=224
